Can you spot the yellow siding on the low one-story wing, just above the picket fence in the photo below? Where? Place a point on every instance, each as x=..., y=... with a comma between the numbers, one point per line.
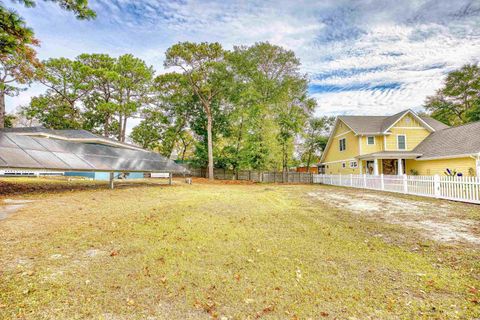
x=432, y=167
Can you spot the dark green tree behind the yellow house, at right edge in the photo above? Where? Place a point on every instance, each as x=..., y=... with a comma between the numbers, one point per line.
x=458, y=101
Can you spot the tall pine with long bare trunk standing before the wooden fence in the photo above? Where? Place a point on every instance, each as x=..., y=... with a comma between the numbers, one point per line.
x=204, y=67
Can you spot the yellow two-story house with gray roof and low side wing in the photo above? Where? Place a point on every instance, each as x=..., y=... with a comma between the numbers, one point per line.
x=404, y=143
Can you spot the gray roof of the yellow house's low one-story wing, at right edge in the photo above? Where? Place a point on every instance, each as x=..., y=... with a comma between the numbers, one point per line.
x=453, y=141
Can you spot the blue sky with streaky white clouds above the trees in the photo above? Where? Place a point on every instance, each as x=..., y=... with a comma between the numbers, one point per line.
x=363, y=57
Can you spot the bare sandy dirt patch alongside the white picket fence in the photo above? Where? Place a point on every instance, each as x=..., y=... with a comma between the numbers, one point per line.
x=437, y=221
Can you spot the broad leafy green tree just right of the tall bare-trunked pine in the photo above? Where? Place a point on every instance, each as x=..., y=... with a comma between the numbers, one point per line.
x=274, y=95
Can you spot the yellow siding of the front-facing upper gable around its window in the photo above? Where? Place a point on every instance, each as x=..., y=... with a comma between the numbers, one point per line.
x=411, y=128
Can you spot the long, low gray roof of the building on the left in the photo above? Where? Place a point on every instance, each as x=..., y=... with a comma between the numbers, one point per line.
x=36, y=152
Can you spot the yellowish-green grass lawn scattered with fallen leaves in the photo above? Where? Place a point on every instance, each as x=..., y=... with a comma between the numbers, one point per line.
x=222, y=251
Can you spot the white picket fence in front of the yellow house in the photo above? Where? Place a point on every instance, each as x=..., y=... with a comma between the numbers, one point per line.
x=466, y=189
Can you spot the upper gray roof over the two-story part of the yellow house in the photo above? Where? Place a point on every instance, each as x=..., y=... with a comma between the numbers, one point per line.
x=378, y=124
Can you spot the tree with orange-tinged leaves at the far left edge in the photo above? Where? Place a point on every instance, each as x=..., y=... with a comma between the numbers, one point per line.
x=18, y=60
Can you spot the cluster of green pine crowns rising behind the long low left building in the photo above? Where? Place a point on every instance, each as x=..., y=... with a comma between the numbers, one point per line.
x=94, y=91
